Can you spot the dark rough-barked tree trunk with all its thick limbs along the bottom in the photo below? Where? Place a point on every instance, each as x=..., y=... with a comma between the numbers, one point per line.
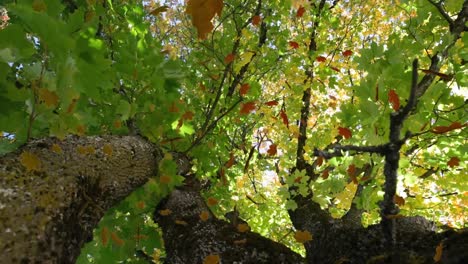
x=53, y=193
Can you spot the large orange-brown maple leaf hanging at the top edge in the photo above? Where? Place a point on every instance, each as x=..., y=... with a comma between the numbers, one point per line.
x=202, y=11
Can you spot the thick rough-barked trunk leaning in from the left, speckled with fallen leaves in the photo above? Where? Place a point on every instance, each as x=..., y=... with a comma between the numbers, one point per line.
x=47, y=214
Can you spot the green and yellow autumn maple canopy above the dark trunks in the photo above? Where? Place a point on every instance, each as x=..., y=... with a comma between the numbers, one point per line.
x=358, y=107
